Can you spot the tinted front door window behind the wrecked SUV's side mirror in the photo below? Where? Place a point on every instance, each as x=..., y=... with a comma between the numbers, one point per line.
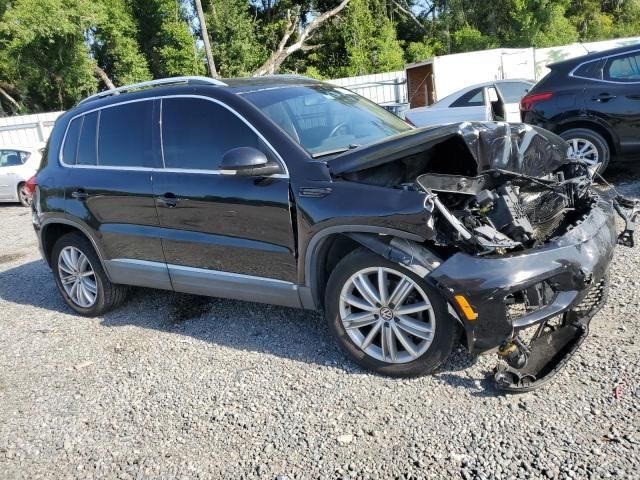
x=196, y=133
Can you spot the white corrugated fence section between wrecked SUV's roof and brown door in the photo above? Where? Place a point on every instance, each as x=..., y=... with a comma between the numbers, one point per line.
x=382, y=88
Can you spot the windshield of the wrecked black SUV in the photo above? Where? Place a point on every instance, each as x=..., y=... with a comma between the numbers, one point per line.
x=325, y=119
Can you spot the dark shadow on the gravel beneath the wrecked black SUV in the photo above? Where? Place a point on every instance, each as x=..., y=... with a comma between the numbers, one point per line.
x=284, y=332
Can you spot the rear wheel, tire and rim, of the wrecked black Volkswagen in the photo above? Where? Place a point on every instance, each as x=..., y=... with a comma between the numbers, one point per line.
x=80, y=277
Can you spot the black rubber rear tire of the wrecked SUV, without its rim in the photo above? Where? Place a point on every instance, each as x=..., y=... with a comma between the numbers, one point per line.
x=109, y=295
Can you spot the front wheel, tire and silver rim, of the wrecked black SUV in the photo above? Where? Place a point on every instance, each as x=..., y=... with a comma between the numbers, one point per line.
x=386, y=318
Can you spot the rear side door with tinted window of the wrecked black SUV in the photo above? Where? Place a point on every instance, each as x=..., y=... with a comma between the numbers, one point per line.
x=111, y=153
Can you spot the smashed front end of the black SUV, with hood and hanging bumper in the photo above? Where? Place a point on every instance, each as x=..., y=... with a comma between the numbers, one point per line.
x=519, y=239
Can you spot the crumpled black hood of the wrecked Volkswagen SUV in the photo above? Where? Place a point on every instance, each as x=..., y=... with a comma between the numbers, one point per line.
x=515, y=147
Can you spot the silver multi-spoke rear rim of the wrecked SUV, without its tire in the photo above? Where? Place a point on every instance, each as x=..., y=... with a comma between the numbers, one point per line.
x=77, y=276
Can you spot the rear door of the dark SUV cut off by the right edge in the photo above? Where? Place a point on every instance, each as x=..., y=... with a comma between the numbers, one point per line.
x=615, y=98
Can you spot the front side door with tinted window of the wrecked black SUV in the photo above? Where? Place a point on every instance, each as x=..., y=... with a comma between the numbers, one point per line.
x=219, y=229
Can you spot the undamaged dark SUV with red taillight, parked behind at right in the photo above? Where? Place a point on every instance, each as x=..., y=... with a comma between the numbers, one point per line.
x=593, y=102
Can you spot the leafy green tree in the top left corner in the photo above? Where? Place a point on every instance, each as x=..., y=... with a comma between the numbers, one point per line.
x=43, y=51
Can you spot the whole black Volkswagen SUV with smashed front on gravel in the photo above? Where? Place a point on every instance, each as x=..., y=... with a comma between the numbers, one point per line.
x=289, y=191
